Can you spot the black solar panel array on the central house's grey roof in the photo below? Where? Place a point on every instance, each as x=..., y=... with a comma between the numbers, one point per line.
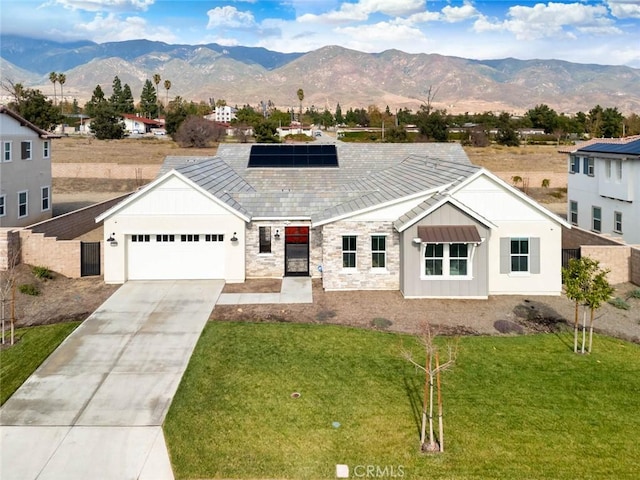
x=293, y=156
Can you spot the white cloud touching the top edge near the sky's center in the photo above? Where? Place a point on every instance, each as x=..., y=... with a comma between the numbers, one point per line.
x=361, y=10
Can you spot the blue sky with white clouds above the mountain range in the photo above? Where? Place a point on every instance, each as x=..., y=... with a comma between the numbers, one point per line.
x=603, y=32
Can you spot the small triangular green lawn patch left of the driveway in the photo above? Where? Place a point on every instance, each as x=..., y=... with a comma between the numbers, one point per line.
x=32, y=346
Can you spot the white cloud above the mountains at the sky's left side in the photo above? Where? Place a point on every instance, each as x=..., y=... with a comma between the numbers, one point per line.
x=111, y=28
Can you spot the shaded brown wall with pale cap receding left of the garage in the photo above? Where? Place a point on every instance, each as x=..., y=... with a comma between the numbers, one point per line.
x=76, y=223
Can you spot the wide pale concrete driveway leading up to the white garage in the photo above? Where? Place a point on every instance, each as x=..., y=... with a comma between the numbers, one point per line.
x=95, y=408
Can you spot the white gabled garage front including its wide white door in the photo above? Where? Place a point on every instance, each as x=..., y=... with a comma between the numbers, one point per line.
x=174, y=231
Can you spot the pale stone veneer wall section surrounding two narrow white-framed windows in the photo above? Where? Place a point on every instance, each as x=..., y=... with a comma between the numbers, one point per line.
x=334, y=277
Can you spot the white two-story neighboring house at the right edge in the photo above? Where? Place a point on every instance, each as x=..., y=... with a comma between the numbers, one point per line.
x=604, y=187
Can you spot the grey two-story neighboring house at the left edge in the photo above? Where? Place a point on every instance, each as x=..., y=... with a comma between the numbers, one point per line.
x=25, y=171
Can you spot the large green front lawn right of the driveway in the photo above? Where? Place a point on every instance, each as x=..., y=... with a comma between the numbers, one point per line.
x=515, y=407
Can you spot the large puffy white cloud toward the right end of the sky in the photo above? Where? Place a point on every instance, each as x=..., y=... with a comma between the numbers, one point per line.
x=550, y=20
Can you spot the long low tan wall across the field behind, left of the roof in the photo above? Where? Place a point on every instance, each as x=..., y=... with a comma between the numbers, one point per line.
x=104, y=170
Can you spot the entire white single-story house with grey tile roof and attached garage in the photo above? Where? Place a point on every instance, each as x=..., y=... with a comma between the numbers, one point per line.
x=419, y=218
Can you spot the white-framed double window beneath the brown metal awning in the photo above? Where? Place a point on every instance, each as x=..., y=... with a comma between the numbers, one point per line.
x=446, y=260
